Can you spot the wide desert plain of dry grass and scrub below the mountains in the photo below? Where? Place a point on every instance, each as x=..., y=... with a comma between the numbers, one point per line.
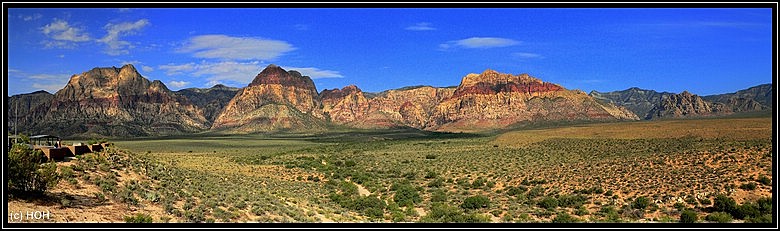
x=608, y=172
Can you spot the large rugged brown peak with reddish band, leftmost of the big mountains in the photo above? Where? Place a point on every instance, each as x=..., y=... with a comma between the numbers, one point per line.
x=118, y=102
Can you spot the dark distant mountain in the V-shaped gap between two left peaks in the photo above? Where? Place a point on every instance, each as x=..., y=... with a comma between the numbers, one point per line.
x=210, y=100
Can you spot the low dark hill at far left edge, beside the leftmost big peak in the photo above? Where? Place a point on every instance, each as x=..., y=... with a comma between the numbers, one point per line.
x=25, y=110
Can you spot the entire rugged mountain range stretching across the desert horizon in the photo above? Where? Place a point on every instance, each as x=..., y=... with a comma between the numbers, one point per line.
x=119, y=102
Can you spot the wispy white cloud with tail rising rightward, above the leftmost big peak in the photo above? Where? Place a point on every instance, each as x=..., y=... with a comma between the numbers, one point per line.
x=116, y=46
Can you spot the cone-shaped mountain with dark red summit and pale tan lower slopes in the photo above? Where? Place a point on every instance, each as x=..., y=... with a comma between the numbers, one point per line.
x=276, y=100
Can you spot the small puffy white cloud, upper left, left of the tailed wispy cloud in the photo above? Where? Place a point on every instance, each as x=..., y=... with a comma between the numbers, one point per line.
x=63, y=35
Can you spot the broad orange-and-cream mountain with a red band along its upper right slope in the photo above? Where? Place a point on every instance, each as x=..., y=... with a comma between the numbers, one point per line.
x=492, y=100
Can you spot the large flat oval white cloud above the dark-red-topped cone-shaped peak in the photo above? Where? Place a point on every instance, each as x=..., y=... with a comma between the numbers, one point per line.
x=245, y=48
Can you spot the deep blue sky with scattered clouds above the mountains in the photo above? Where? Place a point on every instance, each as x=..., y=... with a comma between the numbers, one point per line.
x=704, y=51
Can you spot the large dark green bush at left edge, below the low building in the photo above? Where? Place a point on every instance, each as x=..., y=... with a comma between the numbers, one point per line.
x=26, y=174
